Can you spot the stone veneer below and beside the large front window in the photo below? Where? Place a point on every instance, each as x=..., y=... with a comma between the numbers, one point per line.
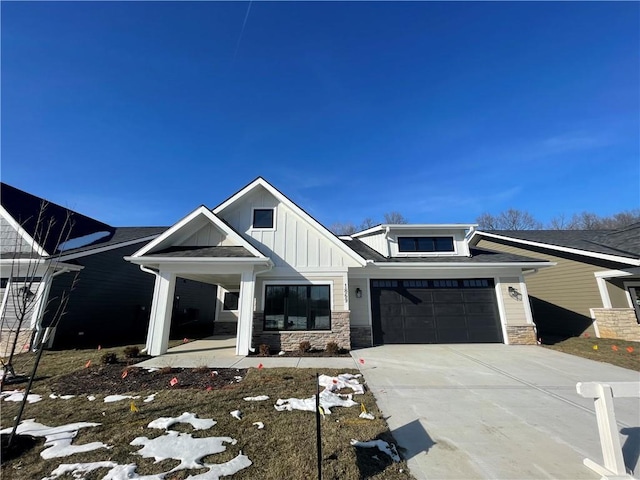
x=290, y=340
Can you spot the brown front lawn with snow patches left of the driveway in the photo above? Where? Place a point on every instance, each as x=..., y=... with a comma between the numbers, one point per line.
x=285, y=448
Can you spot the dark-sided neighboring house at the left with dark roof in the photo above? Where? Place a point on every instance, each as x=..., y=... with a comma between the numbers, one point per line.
x=110, y=301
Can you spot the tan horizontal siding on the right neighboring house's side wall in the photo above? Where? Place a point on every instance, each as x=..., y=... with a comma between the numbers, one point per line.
x=563, y=294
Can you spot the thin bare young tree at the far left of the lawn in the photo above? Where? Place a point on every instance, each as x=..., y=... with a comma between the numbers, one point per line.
x=28, y=295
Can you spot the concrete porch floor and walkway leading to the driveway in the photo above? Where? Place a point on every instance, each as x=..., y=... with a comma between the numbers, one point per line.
x=220, y=352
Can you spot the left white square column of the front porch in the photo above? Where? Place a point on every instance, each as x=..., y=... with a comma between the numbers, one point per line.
x=161, y=309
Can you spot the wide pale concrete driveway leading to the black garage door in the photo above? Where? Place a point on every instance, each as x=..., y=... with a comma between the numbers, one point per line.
x=495, y=411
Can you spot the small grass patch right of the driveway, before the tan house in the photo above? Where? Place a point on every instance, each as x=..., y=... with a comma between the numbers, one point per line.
x=602, y=350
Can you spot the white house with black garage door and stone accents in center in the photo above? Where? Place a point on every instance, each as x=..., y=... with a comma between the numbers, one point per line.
x=282, y=278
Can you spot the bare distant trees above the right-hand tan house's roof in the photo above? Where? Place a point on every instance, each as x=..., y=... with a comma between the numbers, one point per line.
x=513, y=219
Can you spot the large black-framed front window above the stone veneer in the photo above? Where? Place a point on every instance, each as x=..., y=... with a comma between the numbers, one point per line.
x=297, y=307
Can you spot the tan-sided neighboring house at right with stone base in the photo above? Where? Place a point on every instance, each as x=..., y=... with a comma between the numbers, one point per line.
x=594, y=287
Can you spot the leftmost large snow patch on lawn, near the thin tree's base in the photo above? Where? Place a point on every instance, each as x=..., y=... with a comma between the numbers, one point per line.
x=57, y=439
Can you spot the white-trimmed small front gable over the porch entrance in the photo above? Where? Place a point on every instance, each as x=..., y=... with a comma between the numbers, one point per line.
x=163, y=244
